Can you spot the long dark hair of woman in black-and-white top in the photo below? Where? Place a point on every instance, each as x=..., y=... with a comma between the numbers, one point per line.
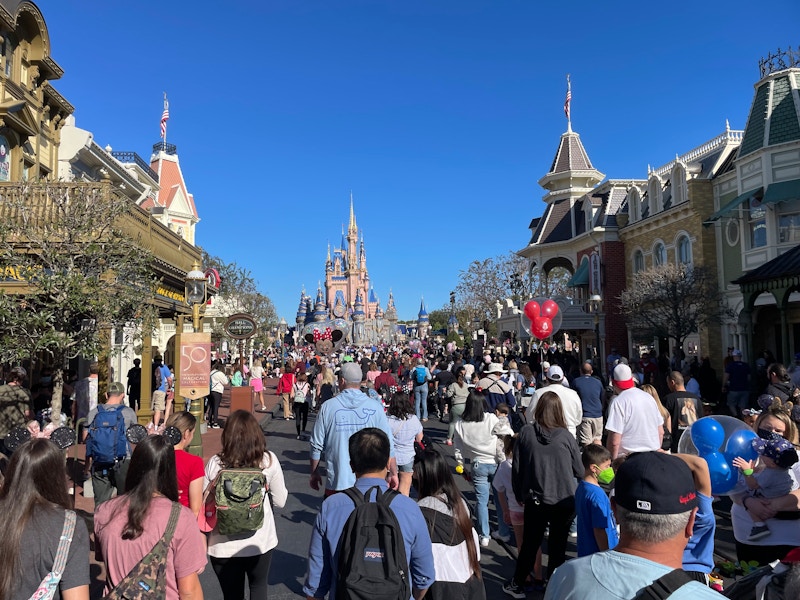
x=433, y=478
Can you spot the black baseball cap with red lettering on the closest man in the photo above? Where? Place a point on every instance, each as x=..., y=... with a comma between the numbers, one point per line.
x=655, y=483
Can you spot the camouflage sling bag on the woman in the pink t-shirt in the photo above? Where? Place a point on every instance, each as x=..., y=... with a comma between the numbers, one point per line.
x=148, y=579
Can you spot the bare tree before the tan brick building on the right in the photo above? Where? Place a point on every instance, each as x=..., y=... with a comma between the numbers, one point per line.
x=673, y=301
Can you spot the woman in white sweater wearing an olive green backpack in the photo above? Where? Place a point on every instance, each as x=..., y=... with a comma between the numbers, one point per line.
x=246, y=553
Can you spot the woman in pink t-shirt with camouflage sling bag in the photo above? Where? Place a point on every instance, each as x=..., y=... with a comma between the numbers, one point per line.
x=146, y=527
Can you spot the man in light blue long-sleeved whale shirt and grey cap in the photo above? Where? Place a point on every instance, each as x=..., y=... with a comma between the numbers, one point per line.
x=340, y=417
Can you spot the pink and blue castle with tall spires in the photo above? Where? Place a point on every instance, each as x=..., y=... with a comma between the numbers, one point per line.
x=349, y=295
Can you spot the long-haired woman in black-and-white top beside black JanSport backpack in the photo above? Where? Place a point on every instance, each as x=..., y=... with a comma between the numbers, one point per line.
x=456, y=556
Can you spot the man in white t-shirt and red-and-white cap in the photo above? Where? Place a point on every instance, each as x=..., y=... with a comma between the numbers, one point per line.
x=634, y=423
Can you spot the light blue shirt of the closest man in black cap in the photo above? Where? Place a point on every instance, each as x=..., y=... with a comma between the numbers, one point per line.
x=613, y=575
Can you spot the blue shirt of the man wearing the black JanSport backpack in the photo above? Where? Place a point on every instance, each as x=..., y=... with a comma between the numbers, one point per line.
x=323, y=559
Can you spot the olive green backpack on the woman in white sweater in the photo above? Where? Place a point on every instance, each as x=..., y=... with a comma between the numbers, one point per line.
x=239, y=498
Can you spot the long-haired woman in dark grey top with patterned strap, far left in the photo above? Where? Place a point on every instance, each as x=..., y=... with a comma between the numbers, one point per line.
x=35, y=508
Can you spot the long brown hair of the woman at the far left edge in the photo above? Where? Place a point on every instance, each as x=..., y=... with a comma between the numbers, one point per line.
x=36, y=478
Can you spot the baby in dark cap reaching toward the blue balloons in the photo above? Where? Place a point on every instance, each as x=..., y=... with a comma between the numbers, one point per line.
x=771, y=477
